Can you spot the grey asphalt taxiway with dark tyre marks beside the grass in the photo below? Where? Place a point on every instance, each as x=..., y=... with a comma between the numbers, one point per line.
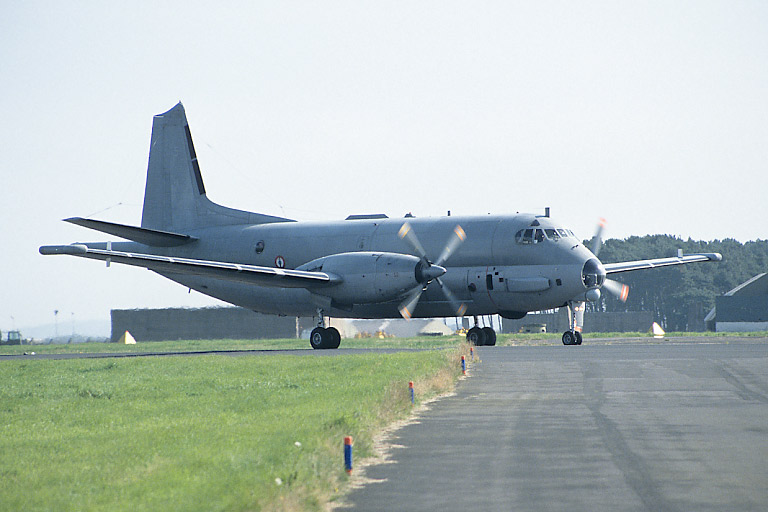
x=603, y=427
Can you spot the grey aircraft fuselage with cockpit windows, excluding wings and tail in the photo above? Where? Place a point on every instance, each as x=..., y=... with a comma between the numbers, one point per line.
x=495, y=273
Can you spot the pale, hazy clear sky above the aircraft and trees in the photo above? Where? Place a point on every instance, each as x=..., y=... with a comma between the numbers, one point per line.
x=650, y=114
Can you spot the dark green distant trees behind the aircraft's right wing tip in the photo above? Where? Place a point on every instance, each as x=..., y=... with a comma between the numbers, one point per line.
x=677, y=294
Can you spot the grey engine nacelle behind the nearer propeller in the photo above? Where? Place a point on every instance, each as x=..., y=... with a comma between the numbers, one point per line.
x=367, y=277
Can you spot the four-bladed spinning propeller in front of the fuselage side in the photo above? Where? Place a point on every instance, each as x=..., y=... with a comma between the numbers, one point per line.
x=427, y=271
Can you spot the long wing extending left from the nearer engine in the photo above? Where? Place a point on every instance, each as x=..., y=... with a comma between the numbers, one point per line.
x=262, y=276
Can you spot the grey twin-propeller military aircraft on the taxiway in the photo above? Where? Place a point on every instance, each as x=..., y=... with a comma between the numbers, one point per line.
x=367, y=266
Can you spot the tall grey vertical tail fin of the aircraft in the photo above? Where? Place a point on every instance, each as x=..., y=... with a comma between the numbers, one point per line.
x=174, y=198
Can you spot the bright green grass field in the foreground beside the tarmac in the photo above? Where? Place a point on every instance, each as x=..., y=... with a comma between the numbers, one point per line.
x=197, y=433
